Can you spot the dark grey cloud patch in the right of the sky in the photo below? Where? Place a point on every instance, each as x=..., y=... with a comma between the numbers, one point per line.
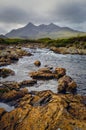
x=70, y=12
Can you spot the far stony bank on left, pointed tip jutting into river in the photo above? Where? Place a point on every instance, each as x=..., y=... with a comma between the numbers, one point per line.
x=10, y=55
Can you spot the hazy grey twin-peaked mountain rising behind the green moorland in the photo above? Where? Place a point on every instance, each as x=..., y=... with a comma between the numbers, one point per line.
x=41, y=31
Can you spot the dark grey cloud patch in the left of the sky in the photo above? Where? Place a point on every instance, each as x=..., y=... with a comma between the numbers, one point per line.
x=13, y=15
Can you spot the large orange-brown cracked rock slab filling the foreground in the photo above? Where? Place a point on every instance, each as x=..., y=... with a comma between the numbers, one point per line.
x=46, y=111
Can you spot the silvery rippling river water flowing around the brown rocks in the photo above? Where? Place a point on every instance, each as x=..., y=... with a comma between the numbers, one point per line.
x=74, y=64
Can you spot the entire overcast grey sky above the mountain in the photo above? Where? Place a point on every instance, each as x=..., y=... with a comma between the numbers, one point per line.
x=17, y=13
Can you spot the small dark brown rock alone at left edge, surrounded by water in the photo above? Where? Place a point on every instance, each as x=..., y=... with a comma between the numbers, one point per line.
x=4, y=72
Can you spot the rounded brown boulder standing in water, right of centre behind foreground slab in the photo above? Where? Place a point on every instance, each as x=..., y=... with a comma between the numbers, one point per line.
x=66, y=84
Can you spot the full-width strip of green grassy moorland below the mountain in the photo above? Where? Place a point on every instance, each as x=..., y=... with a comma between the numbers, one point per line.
x=79, y=41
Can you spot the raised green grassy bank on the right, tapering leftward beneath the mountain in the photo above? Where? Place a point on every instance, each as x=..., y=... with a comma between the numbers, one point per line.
x=79, y=42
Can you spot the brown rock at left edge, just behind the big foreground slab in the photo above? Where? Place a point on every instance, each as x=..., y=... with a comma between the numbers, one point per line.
x=9, y=91
